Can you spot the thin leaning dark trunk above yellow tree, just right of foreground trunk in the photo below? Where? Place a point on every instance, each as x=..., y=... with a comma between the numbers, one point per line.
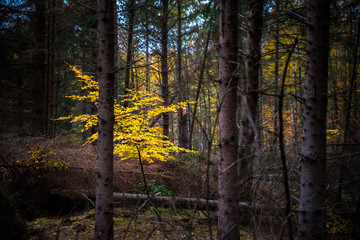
x=129, y=57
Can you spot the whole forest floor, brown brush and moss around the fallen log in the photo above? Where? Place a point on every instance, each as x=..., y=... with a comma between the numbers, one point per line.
x=51, y=184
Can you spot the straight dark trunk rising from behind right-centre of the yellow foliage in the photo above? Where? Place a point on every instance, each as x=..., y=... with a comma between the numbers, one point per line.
x=164, y=66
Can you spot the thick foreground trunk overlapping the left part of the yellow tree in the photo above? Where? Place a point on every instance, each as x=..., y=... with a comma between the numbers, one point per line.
x=104, y=176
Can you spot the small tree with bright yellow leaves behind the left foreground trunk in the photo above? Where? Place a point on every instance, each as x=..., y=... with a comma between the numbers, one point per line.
x=134, y=135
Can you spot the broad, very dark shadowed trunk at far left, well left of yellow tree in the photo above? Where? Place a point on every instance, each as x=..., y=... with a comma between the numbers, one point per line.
x=38, y=108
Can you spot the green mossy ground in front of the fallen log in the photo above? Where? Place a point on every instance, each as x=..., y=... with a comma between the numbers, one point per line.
x=127, y=225
